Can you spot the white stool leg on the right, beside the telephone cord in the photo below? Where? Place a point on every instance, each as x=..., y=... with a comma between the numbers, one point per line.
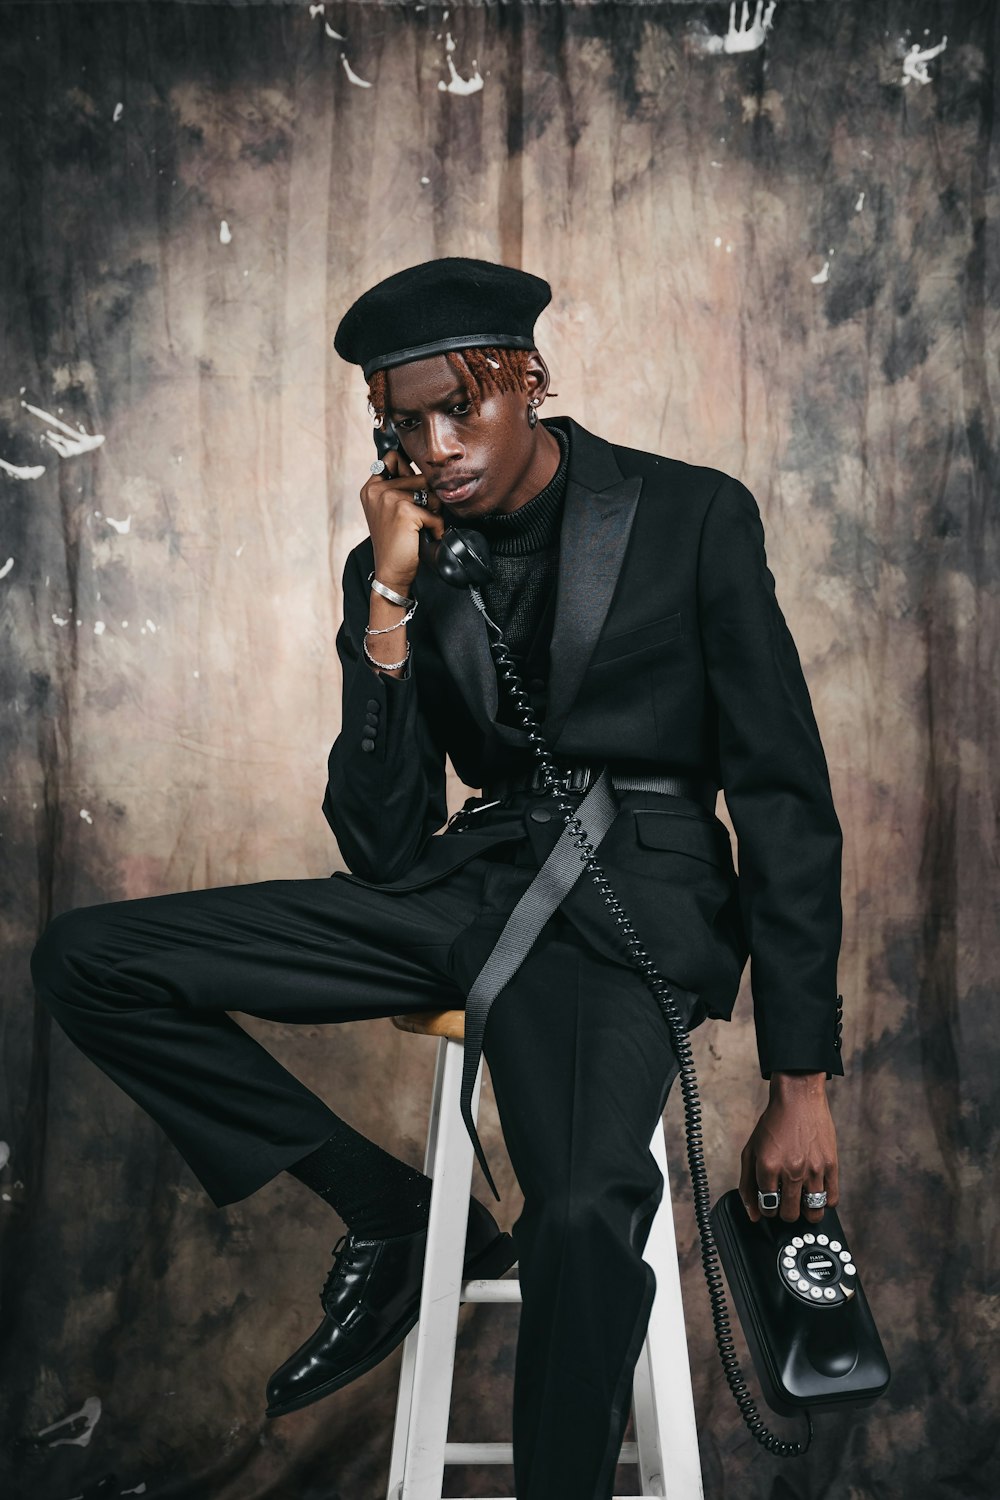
x=666, y=1432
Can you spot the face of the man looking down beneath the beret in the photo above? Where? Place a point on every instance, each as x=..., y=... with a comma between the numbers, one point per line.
x=473, y=463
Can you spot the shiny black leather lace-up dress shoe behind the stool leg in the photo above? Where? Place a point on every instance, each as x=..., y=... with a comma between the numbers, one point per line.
x=371, y=1301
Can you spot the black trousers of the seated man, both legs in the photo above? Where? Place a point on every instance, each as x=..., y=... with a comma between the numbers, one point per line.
x=579, y=1057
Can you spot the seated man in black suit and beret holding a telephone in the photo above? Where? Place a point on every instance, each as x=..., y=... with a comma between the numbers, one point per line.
x=636, y=598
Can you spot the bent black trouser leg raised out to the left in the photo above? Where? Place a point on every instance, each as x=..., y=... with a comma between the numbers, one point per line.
x=145, y=989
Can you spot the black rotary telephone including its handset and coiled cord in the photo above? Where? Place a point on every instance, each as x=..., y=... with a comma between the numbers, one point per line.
x=797, y=1288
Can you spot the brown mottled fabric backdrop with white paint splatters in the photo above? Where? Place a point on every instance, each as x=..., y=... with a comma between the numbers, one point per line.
x=771, y=253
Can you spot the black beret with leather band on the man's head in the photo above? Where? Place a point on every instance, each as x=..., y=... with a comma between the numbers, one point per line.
x=451, y=304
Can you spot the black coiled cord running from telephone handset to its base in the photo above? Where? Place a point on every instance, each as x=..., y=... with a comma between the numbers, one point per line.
x=665, y=1000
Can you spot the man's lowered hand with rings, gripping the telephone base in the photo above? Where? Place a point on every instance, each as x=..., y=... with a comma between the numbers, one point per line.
x=794, y=1148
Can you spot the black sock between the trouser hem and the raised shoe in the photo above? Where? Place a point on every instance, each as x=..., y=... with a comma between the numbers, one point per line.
x=376, y=1195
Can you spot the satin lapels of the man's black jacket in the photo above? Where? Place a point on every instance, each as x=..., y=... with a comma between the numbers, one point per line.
x=597, y=518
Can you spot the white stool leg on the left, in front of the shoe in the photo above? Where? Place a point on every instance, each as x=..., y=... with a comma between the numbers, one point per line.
x=425, y=1396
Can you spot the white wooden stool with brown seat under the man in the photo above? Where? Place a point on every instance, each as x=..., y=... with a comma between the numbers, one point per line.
x=666, y=1438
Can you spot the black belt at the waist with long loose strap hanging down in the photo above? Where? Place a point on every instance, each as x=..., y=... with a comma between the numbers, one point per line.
x=557, y=877
